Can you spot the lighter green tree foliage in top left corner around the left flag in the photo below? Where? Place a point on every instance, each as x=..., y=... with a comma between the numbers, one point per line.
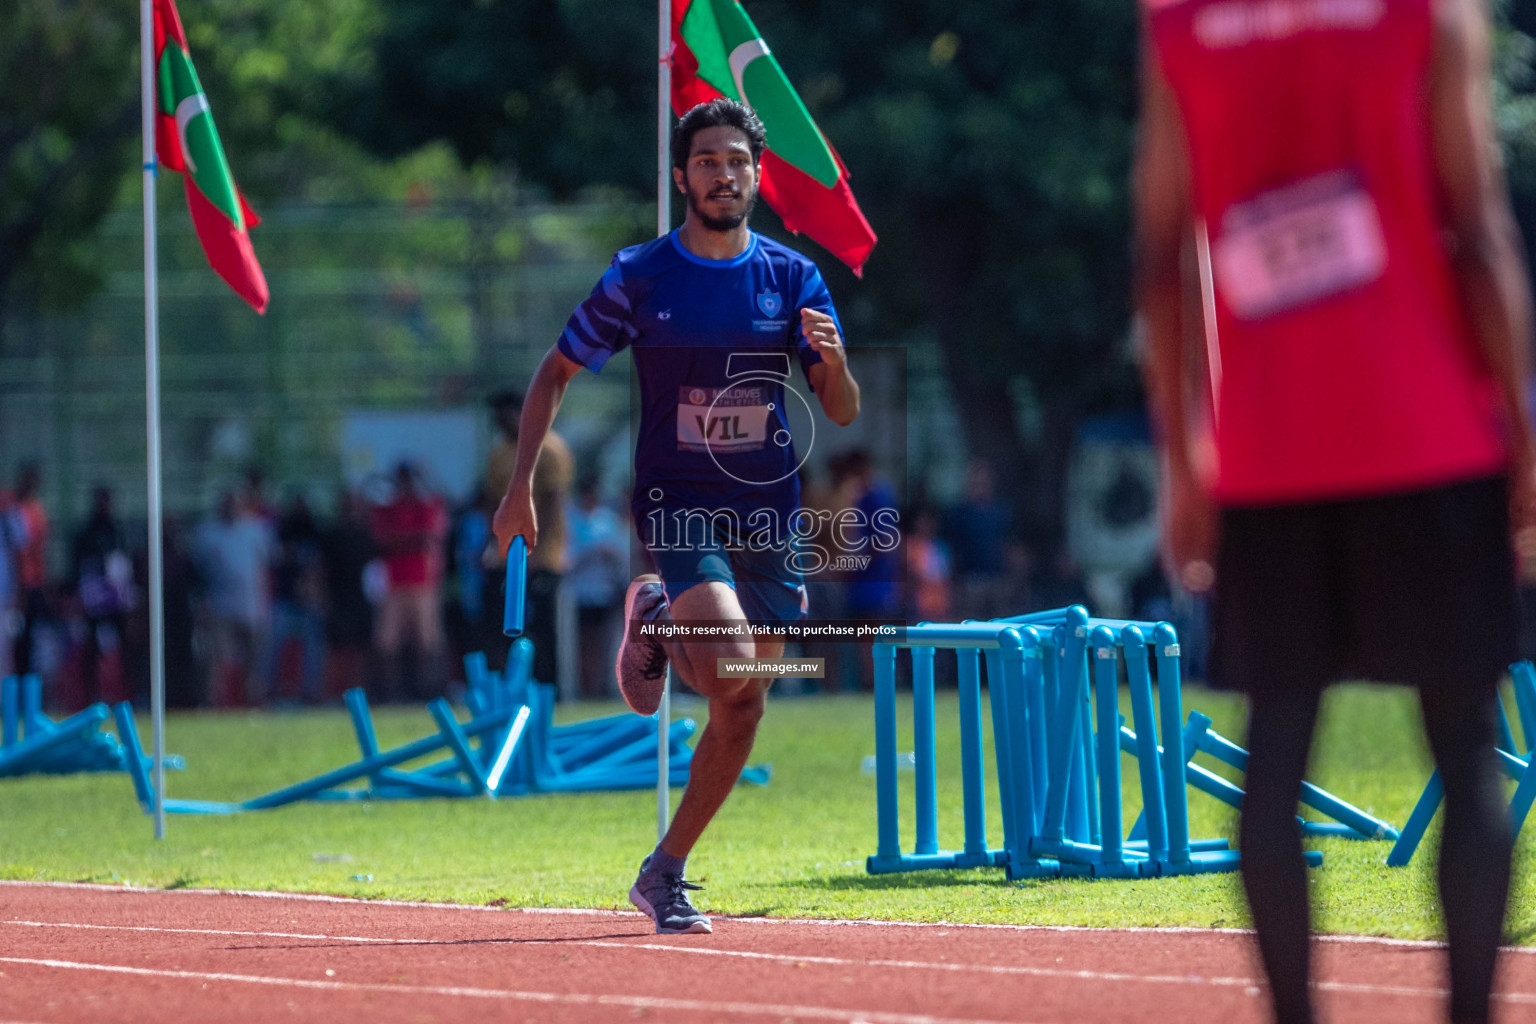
x=70, y=125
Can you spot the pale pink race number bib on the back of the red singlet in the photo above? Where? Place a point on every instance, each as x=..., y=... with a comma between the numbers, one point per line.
x=1296, y=245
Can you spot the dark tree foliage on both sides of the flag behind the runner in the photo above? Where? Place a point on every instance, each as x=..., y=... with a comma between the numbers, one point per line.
x=988, y=144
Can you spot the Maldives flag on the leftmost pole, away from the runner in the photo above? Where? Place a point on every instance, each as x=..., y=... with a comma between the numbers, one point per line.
x=188, y=144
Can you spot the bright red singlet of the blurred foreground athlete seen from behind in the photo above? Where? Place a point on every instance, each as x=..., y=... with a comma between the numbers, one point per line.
x=1348, y=363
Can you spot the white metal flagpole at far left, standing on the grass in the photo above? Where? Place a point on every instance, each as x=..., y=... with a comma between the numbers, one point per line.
x=157, y=627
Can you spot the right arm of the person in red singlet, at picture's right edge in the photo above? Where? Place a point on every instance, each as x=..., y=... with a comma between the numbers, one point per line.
x=1488, y=253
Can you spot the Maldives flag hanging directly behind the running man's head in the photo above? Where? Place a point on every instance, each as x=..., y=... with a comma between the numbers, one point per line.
x=717, y=51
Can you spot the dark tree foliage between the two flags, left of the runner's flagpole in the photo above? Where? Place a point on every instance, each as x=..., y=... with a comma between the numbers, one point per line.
x=560, y=90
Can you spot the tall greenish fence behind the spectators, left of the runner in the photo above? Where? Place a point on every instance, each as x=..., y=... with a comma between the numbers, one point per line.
x=383, y=308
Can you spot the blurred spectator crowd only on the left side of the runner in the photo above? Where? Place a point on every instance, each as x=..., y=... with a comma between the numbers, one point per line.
x=291, y=603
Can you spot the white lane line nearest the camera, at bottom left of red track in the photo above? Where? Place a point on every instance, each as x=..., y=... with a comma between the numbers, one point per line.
x=571, y=999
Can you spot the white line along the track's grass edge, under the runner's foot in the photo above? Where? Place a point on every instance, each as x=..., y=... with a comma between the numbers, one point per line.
x=603, y=913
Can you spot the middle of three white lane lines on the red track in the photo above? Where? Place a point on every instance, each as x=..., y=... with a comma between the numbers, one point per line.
x=1251, y=986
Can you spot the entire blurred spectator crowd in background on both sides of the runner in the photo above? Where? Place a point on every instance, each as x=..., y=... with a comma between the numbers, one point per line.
x=388, y=589
